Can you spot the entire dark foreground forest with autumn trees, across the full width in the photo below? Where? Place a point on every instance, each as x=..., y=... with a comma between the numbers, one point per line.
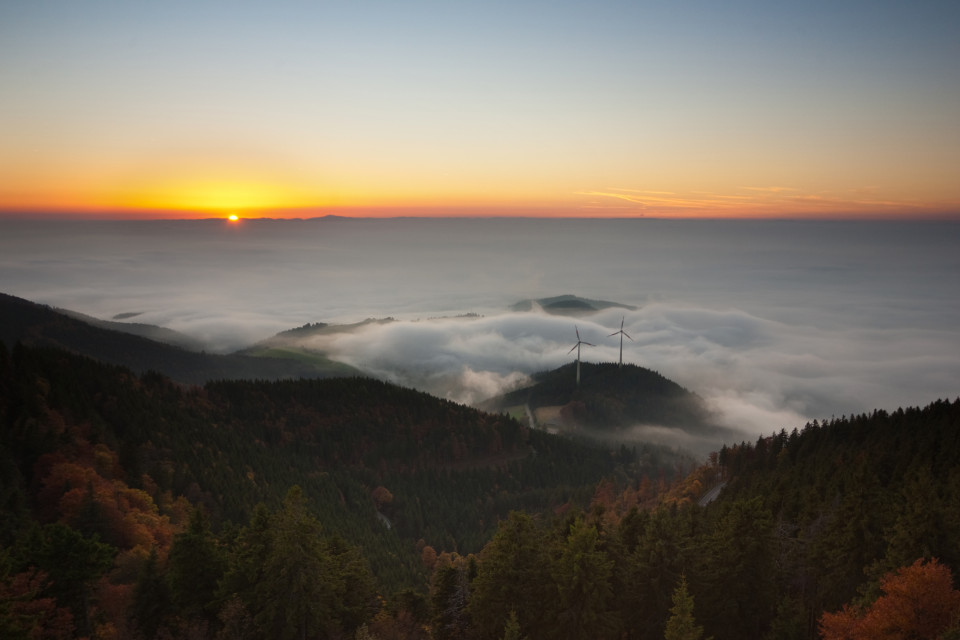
x=135, y=507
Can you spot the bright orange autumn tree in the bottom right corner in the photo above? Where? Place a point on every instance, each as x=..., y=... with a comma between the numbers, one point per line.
x=918, y=602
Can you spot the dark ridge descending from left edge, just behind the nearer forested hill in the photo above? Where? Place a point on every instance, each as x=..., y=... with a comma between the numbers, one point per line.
x=39, y=325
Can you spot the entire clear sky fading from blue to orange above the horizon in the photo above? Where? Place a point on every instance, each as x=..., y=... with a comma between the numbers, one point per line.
x=380, y=108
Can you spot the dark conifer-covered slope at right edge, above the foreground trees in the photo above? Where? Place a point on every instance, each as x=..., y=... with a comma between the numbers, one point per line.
x=857, y=496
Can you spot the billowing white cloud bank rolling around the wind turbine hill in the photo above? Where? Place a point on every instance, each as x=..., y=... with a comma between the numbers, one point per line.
x=759, y=375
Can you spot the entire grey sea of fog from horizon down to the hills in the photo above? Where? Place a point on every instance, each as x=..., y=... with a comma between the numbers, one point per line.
x=773, y=322
